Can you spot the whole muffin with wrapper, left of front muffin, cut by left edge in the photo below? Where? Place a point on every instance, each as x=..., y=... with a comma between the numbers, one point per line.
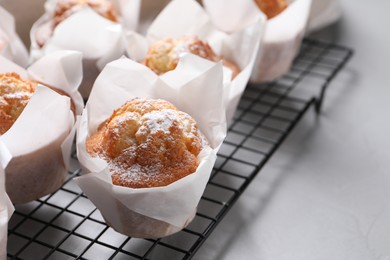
x=39, y=170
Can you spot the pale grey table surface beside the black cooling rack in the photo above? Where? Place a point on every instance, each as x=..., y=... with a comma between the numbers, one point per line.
x=325, y=193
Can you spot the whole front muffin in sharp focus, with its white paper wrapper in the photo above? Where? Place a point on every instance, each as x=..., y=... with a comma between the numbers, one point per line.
x=146, y=163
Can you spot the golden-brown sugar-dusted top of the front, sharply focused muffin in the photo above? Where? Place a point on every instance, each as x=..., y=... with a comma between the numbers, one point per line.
x=147, y=143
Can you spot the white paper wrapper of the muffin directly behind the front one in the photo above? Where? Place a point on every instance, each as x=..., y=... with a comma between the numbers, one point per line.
x=187, y=17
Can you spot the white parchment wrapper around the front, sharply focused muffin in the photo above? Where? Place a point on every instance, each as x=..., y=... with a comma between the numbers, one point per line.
x=153, y=212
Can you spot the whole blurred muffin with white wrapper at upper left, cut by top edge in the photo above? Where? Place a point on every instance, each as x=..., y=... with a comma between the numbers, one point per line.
x=93, y=27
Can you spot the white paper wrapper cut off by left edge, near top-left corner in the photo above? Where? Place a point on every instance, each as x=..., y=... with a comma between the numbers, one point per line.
x=11, y=46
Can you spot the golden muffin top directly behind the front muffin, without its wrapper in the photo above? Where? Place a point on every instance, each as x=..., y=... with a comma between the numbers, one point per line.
x=163, y=55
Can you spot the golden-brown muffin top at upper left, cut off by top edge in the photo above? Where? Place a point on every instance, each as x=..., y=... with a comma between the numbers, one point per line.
x=66, y=8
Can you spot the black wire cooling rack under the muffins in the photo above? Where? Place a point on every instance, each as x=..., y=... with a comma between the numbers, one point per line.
x=66, y=225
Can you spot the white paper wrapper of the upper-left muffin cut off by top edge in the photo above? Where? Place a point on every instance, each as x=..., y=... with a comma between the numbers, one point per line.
x=99, y=39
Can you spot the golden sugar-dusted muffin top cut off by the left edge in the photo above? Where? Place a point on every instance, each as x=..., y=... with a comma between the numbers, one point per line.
x=15, y=93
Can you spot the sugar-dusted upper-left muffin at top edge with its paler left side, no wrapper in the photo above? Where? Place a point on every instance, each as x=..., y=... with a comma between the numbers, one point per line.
x=65, y=8
